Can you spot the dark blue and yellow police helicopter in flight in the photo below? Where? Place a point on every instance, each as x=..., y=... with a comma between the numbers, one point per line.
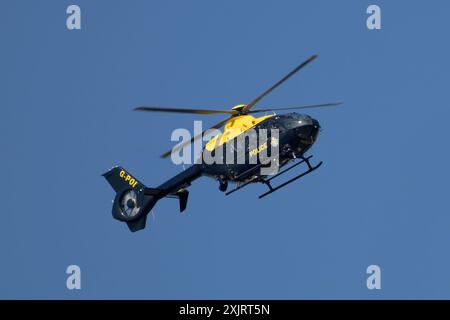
x=292, y=134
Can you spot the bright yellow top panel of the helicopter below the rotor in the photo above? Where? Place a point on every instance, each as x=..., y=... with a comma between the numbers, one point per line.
x=233, y=128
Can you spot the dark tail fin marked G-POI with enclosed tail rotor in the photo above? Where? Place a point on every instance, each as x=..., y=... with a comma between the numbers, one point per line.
x=133, y=199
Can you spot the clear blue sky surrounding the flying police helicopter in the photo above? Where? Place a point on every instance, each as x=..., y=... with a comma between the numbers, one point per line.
x=381, y=196
